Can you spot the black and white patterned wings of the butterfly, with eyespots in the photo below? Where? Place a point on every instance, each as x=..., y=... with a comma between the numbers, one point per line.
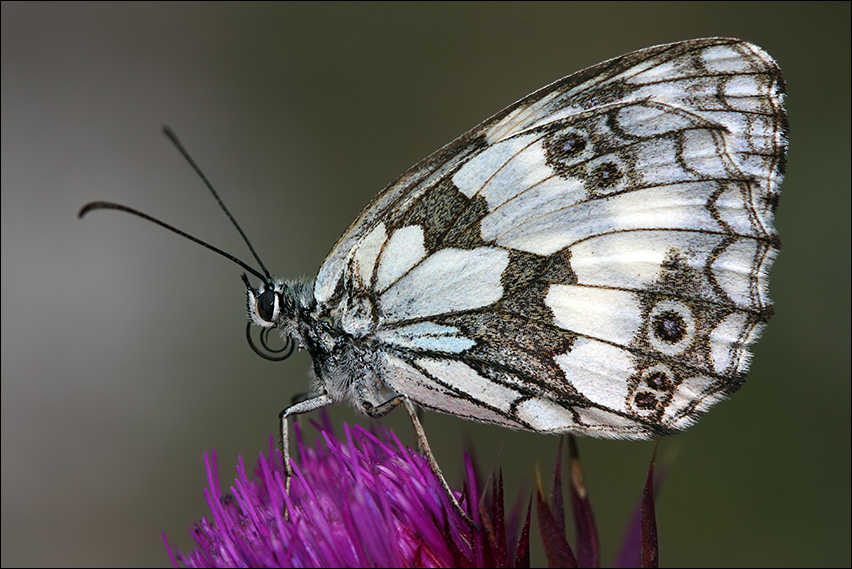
x=593, y=259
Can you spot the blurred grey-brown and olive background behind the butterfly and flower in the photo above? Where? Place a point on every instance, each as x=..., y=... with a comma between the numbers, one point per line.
x=123, y=355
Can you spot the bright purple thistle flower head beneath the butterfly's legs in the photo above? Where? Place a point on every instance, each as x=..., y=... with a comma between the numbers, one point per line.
x=361, y=501
